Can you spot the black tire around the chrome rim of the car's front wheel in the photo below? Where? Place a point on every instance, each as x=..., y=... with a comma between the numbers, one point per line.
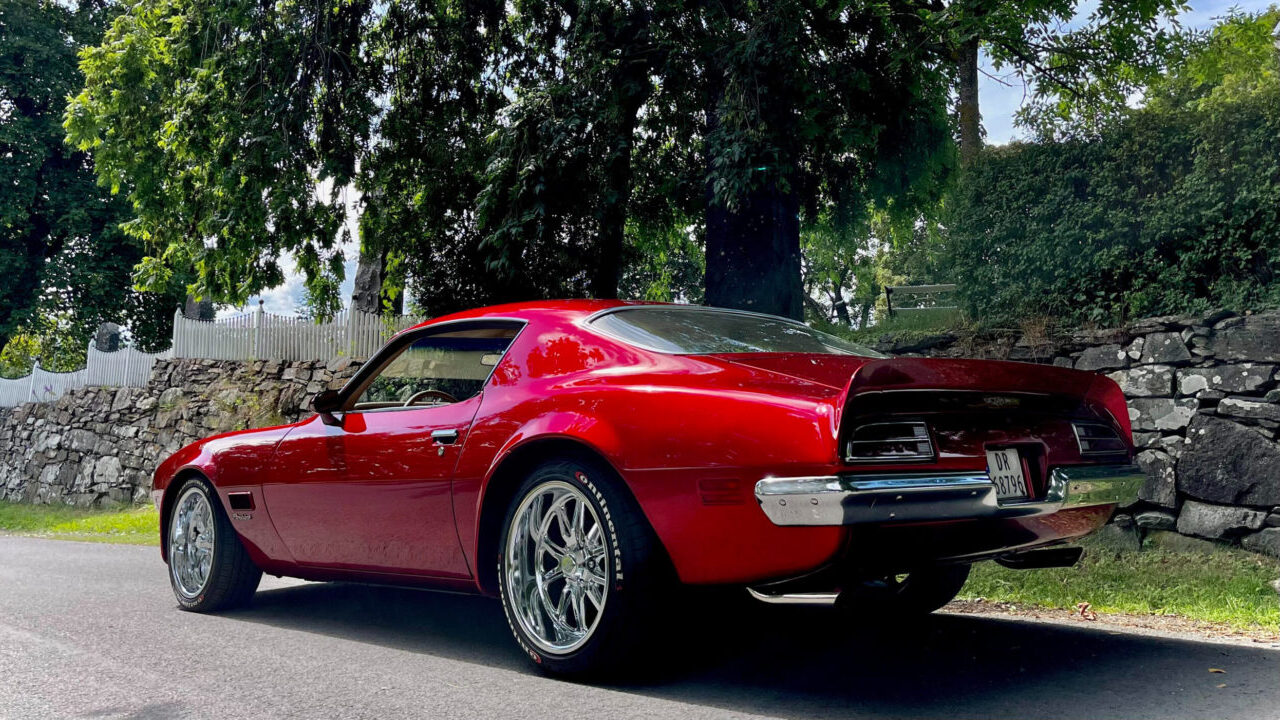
x=232, y=578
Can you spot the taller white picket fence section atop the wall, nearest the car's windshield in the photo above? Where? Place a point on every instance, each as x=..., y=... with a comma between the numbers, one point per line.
x=266, y=336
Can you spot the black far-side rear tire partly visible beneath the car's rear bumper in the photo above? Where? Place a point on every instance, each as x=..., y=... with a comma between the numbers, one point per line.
x=921, y=593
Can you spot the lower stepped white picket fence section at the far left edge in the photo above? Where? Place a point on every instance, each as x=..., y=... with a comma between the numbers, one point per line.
x=124, y=368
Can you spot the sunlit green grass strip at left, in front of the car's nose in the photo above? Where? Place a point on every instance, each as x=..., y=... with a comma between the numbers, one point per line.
x=132, y=526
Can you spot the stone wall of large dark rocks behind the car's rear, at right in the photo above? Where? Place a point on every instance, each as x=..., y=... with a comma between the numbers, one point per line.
x=1205, y=403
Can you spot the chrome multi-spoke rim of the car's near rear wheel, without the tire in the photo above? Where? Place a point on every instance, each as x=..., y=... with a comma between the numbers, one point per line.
x=557, y=567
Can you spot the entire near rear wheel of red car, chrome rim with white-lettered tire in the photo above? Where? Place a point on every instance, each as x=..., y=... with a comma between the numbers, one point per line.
x=579, y=569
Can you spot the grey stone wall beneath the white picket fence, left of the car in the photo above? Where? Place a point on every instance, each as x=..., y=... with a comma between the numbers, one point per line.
x=99, y=446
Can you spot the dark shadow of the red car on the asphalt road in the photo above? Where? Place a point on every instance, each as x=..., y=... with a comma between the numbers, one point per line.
x=801, y=663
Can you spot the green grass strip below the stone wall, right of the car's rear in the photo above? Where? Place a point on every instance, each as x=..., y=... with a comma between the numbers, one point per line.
x=1223, y=586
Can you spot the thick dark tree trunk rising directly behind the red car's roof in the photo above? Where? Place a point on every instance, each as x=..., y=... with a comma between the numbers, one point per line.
x=753, y=254
